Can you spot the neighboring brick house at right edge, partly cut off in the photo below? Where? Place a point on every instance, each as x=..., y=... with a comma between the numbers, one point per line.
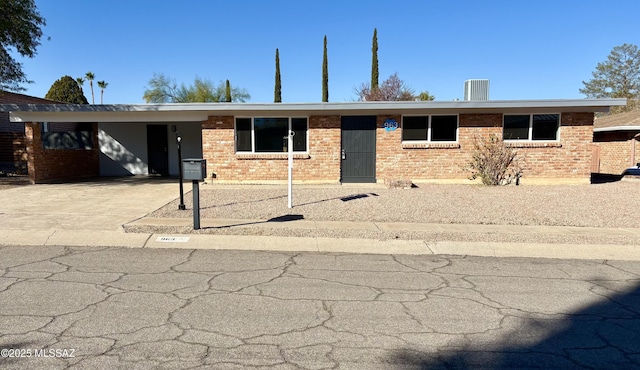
x=616, y=140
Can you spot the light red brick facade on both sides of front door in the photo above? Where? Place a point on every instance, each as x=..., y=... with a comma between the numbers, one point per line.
x=567, y=159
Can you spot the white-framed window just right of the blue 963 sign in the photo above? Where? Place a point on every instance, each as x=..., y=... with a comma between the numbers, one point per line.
x=432, y=128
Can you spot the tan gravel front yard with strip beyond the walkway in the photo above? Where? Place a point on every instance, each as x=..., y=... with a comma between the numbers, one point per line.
x=611, y=205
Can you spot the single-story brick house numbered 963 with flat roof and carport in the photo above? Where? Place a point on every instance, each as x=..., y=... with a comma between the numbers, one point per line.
x=334, y=142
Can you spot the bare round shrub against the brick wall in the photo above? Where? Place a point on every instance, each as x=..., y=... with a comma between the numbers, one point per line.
x=494, y=162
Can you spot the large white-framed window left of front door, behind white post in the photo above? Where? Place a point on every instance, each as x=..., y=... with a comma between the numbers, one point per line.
x=270, y=134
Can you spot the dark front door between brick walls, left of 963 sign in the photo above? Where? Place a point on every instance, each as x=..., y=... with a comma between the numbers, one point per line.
x=358, y=149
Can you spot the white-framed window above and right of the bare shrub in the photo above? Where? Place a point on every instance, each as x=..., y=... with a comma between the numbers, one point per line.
x=531, y=127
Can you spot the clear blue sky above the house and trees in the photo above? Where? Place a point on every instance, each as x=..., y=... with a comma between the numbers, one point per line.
x=527, y=49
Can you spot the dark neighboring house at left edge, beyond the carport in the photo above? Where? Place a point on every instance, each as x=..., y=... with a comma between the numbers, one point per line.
x=13, y=147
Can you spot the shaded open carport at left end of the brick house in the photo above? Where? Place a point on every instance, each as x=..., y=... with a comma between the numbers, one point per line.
x=66, y=142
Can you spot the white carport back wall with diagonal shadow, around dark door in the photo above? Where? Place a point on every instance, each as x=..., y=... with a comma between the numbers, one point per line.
x=123, y=146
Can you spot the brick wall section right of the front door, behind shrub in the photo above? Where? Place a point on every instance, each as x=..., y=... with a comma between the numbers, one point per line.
x=568, y=159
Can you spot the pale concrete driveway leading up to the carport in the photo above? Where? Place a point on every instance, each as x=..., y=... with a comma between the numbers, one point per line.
x=100, y=204
